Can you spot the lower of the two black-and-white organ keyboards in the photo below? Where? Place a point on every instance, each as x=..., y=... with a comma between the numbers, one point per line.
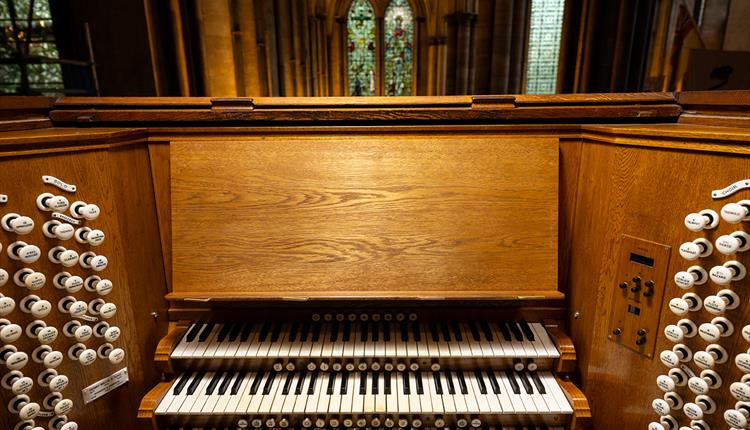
x=365, y=399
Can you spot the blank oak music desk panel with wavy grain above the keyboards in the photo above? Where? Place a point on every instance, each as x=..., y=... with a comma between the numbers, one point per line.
x=286, y=215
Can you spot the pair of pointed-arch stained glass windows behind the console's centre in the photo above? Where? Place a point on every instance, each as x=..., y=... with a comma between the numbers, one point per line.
x=380, y=64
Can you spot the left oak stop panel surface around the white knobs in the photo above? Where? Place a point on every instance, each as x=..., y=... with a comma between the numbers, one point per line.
x=124, y=198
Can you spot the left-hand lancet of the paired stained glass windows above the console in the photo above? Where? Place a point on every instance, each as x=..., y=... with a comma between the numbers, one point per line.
x=362, y=48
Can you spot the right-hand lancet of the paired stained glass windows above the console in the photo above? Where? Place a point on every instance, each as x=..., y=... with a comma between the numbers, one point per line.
x=399, y=40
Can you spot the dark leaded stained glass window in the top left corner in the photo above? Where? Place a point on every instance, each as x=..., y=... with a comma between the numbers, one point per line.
x=27, y=72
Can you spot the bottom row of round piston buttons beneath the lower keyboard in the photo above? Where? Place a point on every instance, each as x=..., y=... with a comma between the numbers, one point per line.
x=357, y=422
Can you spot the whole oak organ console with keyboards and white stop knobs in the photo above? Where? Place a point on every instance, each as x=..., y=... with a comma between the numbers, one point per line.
x=468, y=261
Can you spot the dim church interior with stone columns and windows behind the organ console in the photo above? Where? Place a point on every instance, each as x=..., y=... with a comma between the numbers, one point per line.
x=371, y=47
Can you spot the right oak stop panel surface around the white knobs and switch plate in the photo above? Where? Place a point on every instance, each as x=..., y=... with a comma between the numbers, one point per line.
x=644, y=192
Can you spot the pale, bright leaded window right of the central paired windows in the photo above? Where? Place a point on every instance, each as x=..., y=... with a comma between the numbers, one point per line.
x=544, y=46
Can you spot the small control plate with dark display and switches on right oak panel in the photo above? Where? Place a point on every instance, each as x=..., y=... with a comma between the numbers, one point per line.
x=636, y=307
